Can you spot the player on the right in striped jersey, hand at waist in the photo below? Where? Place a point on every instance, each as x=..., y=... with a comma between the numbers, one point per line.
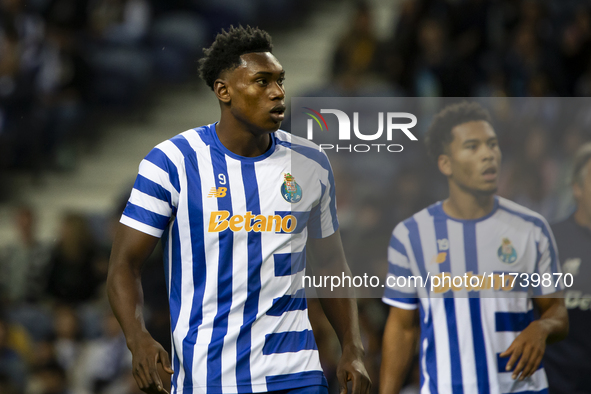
x=472, y=338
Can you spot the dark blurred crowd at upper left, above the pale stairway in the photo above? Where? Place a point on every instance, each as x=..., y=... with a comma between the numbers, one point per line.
x=63, y=63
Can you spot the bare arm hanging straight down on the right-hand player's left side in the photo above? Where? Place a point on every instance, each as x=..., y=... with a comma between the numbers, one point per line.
x=398, y=348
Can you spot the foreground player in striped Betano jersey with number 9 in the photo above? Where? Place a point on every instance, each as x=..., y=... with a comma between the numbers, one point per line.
x=234, y=203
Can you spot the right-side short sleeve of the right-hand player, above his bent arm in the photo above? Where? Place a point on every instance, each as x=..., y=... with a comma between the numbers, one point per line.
x=547, y=264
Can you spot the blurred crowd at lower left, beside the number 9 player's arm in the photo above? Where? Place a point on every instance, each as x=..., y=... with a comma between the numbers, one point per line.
x=57, y=332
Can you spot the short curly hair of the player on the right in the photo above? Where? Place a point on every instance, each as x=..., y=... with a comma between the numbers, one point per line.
x=439, y=135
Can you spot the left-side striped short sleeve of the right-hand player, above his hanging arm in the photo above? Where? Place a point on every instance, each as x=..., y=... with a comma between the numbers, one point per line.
x=400, y=286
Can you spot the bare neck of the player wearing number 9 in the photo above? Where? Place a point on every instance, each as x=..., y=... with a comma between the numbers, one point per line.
x=241, y=141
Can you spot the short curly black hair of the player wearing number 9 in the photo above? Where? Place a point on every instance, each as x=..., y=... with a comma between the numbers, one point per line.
x=224, y=53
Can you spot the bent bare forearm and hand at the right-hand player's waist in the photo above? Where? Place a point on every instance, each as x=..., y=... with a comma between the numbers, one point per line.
x=530, y=344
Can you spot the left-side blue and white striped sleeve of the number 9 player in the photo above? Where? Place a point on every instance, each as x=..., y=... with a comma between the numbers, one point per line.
x=154, y=197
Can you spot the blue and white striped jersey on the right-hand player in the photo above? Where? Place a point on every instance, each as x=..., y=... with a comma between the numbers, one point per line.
x=464, y=327
